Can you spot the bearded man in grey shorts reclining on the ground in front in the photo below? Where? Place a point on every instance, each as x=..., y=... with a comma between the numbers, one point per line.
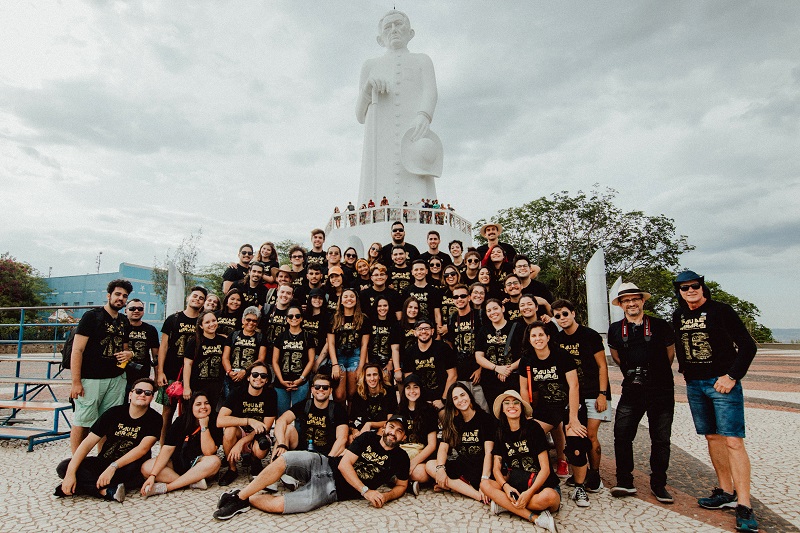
x=371, y=461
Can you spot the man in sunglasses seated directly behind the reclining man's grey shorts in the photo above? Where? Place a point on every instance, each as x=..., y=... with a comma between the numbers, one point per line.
x=316, y=425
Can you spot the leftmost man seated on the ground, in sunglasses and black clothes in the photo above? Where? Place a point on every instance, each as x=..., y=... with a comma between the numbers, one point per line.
x=130, y=431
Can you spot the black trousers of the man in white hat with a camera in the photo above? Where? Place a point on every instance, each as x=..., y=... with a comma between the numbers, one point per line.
x=659, y=405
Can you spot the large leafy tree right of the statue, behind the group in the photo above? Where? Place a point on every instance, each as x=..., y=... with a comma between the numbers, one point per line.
x=561, y=233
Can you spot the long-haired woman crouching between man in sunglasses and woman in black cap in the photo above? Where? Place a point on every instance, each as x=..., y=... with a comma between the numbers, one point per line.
x=373, y=403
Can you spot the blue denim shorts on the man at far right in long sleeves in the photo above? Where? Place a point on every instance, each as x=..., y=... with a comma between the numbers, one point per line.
x=715, y=413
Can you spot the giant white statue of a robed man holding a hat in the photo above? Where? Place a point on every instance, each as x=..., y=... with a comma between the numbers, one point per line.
x=397, y=98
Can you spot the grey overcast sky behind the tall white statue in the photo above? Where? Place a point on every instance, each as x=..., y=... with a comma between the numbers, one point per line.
x=125, y=126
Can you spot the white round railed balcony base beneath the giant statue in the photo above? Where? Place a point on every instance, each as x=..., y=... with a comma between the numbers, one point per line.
x=362, y=227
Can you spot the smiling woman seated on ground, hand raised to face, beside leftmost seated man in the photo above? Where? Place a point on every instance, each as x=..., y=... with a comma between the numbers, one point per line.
x=195, y=441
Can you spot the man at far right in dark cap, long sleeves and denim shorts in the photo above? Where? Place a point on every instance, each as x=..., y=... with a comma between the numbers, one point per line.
x=714, y=354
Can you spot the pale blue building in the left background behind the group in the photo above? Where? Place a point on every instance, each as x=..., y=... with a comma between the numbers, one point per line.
x=90, y=289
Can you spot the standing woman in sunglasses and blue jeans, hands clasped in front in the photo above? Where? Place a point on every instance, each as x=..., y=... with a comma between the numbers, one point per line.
x=292, y=361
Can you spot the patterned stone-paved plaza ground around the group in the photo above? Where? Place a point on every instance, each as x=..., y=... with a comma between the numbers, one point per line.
x=772, y=394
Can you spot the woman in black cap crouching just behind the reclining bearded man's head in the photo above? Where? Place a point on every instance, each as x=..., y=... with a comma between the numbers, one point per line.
x=422, y=425
